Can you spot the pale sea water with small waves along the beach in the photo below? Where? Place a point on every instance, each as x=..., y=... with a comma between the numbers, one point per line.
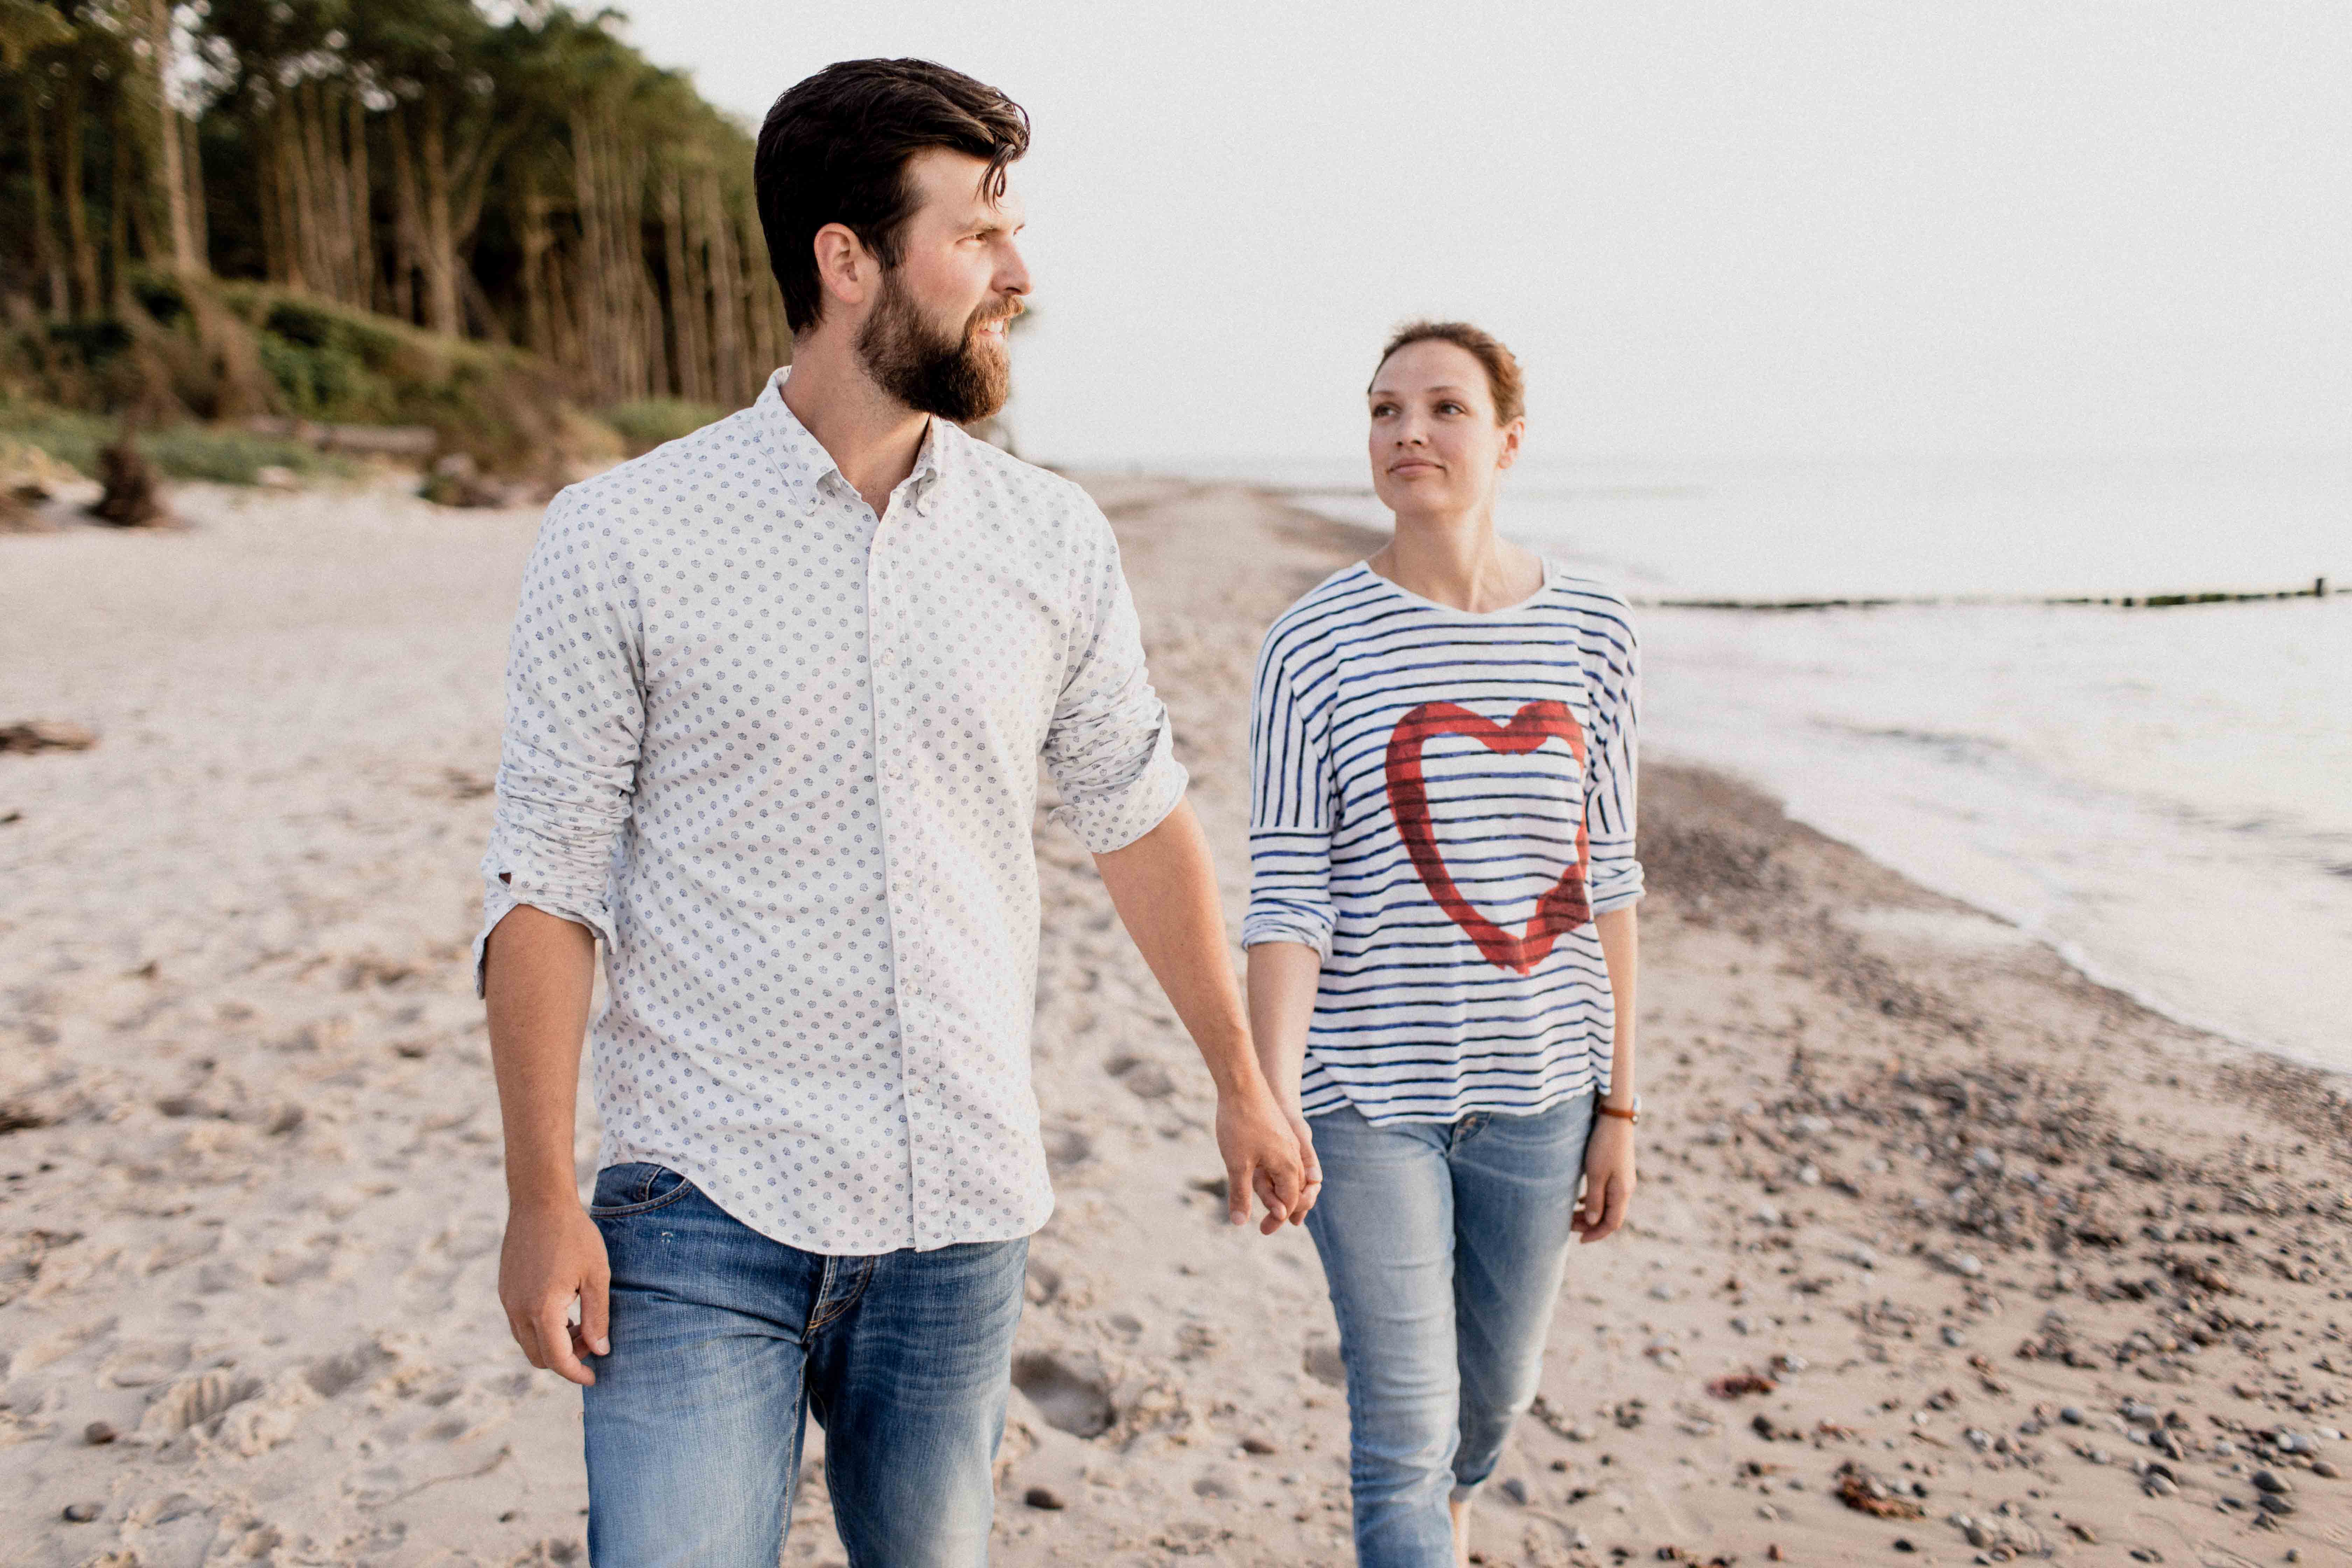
x=2165, y=796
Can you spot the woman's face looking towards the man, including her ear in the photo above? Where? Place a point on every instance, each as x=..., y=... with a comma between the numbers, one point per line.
x=1436, y=448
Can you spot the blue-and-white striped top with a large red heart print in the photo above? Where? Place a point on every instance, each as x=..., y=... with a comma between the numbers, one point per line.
x=1441, y=805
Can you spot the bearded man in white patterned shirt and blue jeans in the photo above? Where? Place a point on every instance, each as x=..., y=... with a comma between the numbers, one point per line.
x=775, y=711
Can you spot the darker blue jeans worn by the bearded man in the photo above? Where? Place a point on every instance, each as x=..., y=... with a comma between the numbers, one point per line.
x=723, y=1341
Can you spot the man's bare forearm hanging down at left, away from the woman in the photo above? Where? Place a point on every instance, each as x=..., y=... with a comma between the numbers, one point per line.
x=537, y=977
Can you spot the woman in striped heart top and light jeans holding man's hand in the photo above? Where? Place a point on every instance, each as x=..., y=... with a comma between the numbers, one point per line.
x=1443, y=939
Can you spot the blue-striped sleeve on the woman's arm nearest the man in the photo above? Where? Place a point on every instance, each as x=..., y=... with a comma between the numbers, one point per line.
x=1290, y=812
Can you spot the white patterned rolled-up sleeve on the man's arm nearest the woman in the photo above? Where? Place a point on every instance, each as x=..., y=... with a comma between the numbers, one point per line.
x=1109, y=746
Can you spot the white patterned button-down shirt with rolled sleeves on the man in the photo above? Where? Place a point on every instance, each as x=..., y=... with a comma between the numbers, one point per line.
x=782, y=758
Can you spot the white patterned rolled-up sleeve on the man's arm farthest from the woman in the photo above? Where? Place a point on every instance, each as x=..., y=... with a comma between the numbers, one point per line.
x=575, y=723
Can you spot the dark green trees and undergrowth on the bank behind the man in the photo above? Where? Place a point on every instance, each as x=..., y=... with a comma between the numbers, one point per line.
x=509, y=170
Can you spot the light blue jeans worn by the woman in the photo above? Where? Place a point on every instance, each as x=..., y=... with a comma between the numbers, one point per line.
x=1443, y=1245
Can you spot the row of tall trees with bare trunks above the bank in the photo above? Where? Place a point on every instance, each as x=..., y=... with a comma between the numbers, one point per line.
x=514, y=175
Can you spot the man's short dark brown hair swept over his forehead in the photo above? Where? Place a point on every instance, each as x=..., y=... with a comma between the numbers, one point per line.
x=836, y=147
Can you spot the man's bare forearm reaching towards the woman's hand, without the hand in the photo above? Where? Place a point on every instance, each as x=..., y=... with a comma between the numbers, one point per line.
x=1165, y=892
